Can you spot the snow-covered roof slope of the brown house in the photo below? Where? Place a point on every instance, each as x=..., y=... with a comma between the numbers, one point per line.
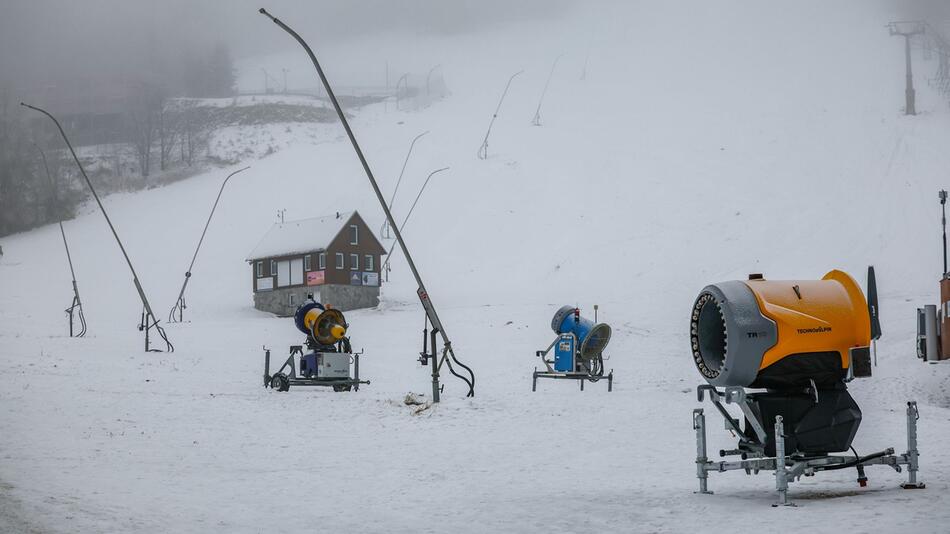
x=305, y=235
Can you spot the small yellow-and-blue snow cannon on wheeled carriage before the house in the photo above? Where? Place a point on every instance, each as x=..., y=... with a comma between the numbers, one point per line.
x=331, y=360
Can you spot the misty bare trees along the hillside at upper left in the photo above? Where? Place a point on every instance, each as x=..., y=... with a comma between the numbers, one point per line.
x=156, y=127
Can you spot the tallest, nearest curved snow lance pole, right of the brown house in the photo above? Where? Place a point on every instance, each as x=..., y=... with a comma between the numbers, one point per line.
x=448, y=354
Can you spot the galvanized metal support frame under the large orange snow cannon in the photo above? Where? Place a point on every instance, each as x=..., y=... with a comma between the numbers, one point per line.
x=789, y=468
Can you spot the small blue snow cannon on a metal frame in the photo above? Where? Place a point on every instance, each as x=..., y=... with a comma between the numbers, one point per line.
x=578, y=349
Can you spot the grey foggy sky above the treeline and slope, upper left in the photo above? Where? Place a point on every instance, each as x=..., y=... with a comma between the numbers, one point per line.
x=55, y=41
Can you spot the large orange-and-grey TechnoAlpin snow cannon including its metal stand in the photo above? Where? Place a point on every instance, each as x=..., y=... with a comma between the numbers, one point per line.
x=801, y=341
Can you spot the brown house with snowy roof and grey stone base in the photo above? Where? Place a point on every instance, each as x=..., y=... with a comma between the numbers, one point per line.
x=337, y=258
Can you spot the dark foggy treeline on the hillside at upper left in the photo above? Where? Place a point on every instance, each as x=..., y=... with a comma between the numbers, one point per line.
x=135, y=111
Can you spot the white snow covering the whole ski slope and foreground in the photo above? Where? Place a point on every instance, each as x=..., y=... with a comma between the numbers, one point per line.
x=751, y=139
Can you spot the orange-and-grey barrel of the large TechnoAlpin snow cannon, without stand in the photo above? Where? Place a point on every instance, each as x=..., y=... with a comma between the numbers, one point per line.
x=772, y=334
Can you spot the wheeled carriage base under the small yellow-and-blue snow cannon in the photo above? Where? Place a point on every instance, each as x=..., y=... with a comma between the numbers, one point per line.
x=339, y=370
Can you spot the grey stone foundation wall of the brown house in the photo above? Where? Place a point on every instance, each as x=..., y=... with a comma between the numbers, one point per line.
x=343, y=298
